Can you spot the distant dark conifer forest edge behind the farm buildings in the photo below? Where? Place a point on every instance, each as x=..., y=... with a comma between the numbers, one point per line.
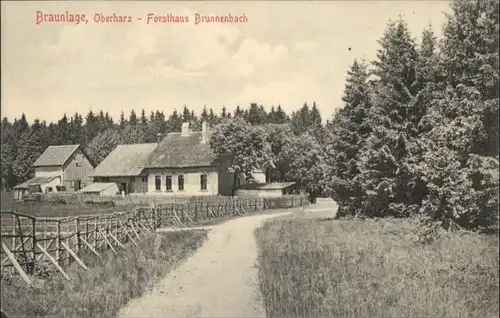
x=99, y=133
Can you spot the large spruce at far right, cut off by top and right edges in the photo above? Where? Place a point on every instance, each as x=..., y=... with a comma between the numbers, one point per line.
x=460, y=163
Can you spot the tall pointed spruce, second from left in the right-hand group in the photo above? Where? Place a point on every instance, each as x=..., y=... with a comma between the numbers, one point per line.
x=385, y=173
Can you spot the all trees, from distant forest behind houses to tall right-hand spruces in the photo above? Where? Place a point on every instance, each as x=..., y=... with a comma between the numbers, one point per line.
x=417, y=133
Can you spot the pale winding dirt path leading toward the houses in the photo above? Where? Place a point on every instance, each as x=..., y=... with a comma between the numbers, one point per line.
x=220, y=280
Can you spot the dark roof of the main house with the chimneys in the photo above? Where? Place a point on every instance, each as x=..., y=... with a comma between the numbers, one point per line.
x=177, y=151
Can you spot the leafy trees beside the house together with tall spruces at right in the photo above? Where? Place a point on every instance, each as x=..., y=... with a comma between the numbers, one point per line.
x=418, y=133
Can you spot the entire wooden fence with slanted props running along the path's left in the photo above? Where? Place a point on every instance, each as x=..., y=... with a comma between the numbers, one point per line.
x=28, y=241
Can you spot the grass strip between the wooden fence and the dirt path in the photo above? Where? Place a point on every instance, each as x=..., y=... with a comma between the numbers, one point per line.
x=107, y=286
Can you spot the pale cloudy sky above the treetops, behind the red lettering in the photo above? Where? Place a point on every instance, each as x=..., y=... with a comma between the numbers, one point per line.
x=286, y=53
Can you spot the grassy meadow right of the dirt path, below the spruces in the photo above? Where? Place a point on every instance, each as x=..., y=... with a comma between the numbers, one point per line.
x=354, y=268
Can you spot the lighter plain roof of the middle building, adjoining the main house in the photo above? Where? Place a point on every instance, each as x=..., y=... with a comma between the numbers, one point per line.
x=124, y=160
